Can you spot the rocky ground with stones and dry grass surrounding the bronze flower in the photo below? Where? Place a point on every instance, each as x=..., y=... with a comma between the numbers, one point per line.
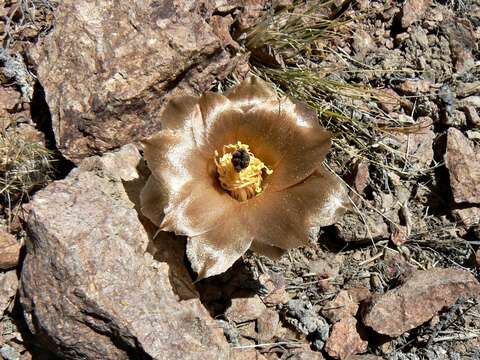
x=83, y=274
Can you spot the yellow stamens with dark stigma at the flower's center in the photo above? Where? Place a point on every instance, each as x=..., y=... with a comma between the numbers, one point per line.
x=239, y=171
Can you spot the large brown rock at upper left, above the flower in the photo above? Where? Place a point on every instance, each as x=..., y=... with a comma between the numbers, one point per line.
x=128, y=58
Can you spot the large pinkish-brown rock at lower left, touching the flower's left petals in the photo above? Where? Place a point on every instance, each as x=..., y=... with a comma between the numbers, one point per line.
x=86, y=254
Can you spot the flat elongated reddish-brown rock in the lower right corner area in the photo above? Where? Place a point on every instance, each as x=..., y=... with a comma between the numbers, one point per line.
x=422, y=296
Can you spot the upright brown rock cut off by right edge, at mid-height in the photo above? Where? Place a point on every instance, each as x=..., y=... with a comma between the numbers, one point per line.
x=461, y=160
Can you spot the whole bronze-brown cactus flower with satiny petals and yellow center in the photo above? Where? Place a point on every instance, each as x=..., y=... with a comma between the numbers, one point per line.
x=237, y=171
